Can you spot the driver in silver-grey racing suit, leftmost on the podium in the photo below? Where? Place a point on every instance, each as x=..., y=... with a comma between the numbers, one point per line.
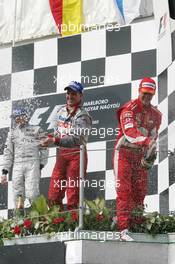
x=23, y=152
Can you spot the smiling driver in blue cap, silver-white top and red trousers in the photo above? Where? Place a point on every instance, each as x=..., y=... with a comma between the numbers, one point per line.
x=72, y=127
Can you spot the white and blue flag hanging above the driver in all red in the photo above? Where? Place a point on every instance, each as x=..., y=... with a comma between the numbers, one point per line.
x=129, y=9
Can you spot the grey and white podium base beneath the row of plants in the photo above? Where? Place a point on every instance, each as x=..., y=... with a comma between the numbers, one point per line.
x=99, y=248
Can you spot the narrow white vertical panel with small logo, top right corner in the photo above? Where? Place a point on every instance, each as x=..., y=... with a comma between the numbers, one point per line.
x=163, y=34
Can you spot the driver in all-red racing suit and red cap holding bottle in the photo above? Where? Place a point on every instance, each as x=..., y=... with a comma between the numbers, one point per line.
x=139, y=122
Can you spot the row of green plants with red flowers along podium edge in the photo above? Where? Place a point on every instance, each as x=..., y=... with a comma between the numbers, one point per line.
x=42, y=219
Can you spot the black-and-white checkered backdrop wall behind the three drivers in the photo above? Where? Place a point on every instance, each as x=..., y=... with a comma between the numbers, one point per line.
x=110, y=65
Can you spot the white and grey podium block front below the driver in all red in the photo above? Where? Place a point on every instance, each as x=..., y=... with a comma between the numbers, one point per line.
x=115, y=252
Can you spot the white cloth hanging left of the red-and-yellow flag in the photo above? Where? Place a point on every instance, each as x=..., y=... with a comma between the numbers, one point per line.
x=33, y=20
